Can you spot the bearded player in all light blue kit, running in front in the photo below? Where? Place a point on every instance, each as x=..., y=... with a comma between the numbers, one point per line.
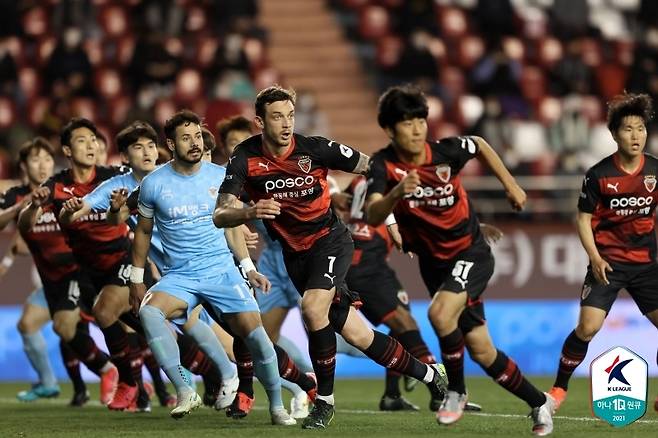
x=176, y=198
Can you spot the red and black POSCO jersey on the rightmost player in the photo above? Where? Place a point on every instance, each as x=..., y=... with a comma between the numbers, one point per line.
x=623, y=209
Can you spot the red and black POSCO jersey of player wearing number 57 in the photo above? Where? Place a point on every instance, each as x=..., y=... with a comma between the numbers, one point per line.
x=438, y=219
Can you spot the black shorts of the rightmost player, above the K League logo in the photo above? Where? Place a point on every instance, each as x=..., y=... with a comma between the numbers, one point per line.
x=640, y=281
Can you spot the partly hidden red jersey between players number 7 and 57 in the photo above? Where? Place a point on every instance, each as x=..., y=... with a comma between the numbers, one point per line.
x=372, y=245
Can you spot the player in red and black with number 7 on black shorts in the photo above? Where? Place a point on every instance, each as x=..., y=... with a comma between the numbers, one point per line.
x=285, y=175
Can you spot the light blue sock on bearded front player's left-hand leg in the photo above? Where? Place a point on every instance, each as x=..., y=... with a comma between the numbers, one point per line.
x=163, y=345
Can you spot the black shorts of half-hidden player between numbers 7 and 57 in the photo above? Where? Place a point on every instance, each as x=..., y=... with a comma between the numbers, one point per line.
x=381, y=292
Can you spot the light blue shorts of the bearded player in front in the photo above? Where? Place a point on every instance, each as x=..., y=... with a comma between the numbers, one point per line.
x=225, y=292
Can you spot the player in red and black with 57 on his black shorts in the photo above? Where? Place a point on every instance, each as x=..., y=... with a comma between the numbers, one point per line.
x=419, y=182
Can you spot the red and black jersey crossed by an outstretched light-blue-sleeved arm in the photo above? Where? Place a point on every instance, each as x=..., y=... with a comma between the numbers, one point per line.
x=95, y=243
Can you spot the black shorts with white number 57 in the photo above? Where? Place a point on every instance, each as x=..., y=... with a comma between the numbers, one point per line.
x=470, y=271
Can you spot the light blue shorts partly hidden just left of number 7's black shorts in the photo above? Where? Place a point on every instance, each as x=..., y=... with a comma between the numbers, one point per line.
x=283, y=293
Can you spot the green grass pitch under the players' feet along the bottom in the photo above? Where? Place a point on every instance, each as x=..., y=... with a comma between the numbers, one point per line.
x=357, y=415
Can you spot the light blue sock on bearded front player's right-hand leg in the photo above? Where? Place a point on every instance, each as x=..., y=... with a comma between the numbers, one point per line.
x=266, y=366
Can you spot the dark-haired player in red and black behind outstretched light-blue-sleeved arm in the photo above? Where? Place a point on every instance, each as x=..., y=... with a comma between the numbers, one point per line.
x=108, y=269
